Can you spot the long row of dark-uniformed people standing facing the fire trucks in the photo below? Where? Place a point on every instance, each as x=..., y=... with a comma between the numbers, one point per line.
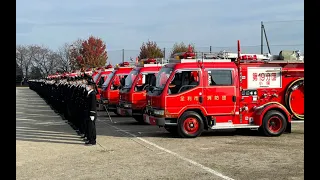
x=75, y=99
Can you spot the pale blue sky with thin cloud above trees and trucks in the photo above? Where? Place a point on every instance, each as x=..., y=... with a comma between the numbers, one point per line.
x=125, y=24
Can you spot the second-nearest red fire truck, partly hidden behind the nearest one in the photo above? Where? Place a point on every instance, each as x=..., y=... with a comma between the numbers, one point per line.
x=133, y=94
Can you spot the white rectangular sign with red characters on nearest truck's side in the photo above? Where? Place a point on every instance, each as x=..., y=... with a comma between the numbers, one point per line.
x=266, y=77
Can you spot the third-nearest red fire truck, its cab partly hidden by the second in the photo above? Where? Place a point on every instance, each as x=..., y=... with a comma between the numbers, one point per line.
x=110, y=88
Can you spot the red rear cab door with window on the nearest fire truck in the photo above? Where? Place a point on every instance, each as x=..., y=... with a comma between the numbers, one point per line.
x=220, y=94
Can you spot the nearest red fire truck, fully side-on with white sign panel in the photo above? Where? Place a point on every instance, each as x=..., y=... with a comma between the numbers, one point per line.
x=202, y=94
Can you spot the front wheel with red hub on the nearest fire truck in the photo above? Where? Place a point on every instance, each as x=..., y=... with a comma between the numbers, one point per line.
x=190, y=125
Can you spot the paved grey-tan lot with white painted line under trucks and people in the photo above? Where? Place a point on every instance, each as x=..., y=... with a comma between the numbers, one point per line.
x=48, y=148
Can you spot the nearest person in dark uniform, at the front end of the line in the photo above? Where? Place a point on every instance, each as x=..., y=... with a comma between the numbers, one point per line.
x=91, y=113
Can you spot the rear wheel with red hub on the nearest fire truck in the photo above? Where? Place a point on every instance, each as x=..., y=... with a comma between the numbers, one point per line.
x=274, y=123
